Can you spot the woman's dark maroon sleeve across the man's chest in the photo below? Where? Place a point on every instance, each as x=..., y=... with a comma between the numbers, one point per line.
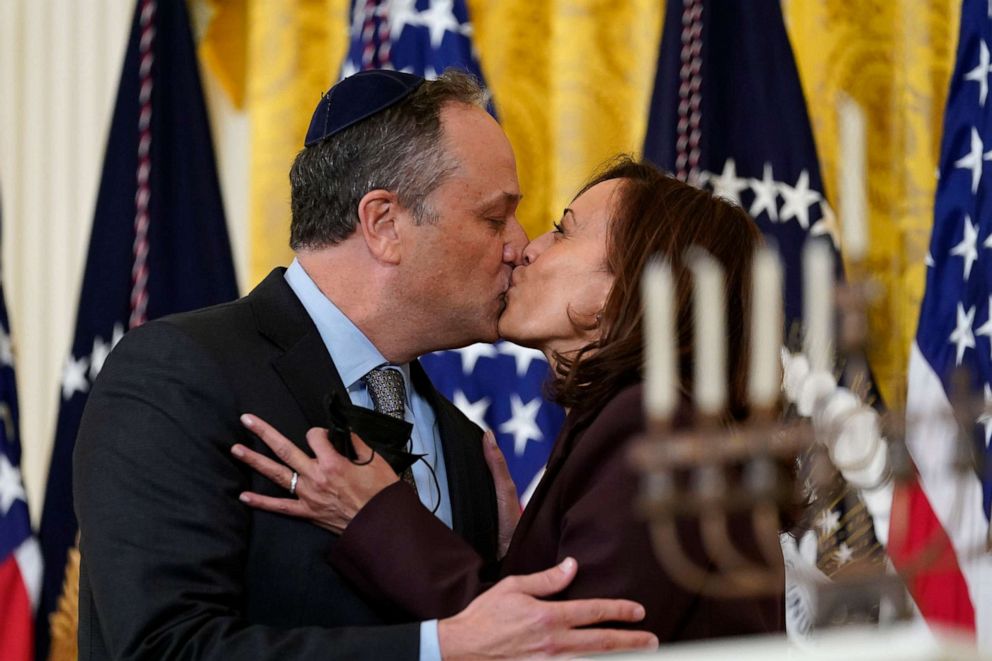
x=400, y=556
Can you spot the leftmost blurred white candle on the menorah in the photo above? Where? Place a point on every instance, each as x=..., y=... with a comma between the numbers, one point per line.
x=660, y=374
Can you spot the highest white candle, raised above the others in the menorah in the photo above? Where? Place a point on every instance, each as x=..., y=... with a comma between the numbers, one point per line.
x=853, y=197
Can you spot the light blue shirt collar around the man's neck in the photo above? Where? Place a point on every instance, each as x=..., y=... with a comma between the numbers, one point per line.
x=353, y=353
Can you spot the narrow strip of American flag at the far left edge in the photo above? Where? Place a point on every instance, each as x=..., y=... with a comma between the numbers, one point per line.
x=20, y=558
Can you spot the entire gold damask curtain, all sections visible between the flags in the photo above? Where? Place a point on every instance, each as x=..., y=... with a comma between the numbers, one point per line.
x=572, y=82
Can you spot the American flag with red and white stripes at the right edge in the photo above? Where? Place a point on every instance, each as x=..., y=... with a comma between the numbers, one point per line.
x=955, y=331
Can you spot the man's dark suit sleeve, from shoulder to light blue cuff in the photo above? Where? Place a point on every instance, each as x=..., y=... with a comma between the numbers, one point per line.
x=162, y=534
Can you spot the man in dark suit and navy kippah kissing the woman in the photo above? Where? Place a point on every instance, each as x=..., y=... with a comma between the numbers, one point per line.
x=405, y=235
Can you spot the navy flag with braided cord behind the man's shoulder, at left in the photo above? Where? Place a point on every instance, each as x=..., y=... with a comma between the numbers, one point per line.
x=158, y=245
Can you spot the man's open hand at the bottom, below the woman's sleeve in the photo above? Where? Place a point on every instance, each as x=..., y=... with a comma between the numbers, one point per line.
x=509, y=622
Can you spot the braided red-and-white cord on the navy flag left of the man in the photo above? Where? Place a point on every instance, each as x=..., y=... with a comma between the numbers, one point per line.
x=139, y=269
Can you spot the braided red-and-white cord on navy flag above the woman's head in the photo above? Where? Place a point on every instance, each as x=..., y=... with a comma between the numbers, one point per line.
x=690, y=95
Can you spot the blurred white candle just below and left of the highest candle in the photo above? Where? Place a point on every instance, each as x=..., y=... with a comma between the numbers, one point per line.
x=818, y=304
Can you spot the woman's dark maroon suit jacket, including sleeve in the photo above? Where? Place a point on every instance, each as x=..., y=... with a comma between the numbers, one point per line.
x=584, y=508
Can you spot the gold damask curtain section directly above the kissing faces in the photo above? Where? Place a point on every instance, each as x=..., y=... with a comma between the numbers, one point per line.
x=572, y=83
